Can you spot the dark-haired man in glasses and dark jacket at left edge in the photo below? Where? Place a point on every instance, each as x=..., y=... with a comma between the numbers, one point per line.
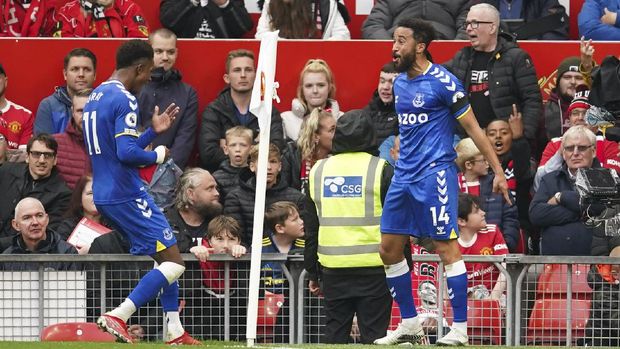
x=37, y=178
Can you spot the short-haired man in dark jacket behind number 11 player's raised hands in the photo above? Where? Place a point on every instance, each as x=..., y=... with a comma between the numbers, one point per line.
x=164, y=88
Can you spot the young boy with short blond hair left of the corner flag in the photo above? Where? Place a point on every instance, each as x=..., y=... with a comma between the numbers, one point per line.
x=238, y=144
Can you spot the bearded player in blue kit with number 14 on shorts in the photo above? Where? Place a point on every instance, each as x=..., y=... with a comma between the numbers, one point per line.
x=422, y=199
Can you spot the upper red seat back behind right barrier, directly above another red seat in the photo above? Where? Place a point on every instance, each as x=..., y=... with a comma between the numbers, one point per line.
x=552, y=282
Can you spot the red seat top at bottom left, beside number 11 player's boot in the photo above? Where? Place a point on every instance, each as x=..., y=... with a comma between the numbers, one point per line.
x=75, y=332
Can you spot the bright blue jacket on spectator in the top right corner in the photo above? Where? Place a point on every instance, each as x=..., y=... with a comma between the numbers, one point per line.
x=589, y=20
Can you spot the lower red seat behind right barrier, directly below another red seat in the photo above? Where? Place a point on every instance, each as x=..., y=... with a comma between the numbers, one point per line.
x=547, y=323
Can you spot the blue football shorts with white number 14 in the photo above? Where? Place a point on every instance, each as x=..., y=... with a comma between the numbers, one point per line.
x=427, y=208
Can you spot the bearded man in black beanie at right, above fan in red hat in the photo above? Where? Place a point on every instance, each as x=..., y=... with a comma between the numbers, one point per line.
x=557, y=119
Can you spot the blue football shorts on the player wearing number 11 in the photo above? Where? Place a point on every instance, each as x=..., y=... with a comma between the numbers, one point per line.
x=142, y=223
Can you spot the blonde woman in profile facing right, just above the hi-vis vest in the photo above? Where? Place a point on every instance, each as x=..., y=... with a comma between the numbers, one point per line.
x=314, y=143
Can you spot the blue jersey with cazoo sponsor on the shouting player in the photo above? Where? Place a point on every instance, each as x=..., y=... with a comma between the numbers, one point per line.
x=427, y=106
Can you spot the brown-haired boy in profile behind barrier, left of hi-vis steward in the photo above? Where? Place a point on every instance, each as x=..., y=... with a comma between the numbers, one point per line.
x=285, y=232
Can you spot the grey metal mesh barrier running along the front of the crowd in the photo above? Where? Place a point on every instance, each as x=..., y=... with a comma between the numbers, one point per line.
x=542, y=304
